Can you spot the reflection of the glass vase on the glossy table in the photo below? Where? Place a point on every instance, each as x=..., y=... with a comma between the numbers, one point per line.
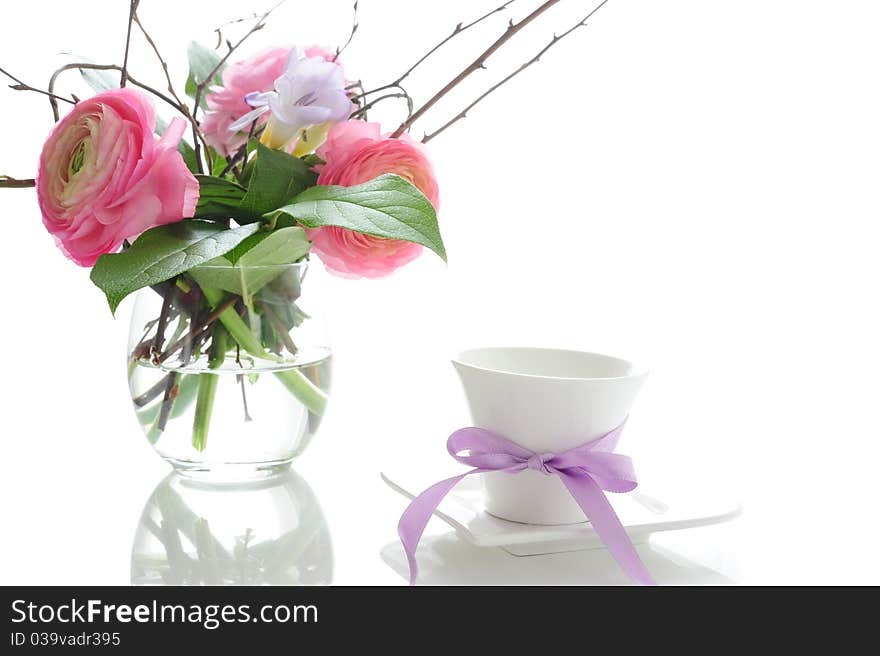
x=264, y=532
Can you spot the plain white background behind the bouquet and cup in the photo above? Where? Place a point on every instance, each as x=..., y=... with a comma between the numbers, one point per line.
x=688, y=184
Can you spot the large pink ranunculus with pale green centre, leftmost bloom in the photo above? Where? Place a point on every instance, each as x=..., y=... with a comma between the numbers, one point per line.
x=105, y=177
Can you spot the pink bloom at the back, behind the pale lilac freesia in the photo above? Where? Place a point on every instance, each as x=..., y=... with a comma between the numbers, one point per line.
x=226, y=103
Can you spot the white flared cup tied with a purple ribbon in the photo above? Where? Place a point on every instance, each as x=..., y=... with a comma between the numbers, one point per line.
x=545, y=400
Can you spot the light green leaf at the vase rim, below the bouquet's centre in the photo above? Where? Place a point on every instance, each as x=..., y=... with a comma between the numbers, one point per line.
x=255, y=262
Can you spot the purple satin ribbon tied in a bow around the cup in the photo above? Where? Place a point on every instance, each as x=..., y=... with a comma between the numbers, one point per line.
x=585, y=471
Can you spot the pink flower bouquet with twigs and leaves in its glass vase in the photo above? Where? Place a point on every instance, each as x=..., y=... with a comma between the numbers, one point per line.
x=212, y=216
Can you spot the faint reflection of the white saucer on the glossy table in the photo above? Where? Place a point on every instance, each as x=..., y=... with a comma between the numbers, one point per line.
x=448, y=560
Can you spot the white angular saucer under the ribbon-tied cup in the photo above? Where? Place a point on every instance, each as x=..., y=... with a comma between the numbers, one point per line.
x=641, y=514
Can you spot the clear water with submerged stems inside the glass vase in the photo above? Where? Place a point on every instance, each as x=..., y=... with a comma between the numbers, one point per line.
x=256, y=421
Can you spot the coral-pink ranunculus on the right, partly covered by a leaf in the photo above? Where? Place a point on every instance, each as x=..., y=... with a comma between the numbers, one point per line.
x=355, y=152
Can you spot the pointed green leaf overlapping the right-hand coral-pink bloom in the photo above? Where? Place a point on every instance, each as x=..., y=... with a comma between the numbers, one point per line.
x=387, y=206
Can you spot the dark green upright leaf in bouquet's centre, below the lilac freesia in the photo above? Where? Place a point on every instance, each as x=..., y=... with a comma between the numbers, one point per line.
x=276, y=179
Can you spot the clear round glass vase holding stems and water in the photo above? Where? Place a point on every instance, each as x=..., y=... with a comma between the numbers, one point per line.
x=229, y=369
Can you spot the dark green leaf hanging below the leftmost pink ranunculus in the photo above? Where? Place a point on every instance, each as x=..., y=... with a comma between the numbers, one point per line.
x=162, y=253
